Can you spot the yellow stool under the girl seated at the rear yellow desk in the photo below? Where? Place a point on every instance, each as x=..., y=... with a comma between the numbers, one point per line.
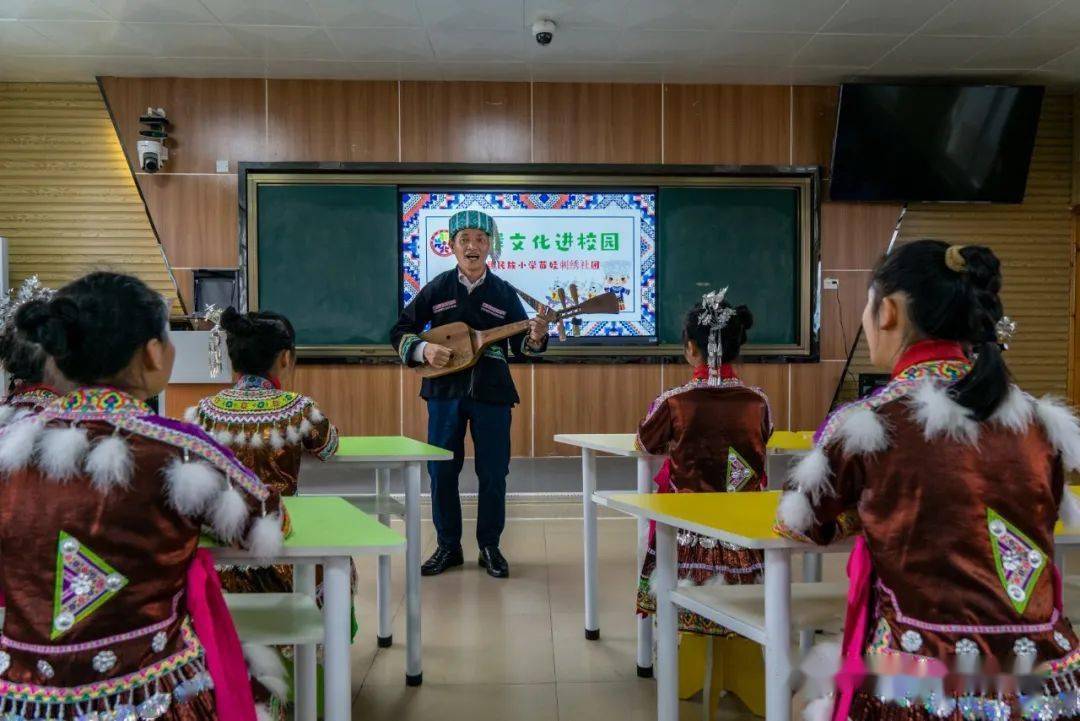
x=738, y=668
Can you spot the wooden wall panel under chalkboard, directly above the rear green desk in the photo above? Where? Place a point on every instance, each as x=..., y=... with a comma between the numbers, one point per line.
x=362, y=401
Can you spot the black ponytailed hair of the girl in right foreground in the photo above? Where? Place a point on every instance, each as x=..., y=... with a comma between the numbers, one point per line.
x=953, y=295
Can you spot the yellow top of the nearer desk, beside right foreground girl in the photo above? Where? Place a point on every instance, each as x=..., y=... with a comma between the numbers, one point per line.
x=745, y=520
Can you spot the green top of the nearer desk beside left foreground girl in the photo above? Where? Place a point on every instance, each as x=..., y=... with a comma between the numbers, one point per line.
x=327, y=526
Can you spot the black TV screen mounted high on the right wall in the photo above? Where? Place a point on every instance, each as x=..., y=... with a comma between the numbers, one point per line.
x=935, y=143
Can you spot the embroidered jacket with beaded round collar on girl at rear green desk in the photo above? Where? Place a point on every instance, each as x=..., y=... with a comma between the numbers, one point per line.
x=268, y=429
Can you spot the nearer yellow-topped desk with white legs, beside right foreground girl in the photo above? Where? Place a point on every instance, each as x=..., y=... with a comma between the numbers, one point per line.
x=744, y=520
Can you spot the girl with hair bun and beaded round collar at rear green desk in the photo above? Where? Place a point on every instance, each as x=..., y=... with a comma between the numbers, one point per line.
x=268, y=429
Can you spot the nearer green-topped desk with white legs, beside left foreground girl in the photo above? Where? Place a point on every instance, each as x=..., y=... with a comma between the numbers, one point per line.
x=328, y=533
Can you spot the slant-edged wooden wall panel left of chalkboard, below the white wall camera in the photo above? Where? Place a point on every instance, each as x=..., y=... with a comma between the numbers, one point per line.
x=196, y=217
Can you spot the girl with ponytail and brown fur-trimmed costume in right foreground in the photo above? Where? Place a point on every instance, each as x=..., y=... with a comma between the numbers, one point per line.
x=951, y=479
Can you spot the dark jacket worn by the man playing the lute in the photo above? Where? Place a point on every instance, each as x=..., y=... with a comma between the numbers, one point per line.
x=491, y=305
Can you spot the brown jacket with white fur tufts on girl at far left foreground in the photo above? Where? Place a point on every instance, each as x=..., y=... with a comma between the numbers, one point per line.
x=102, y=505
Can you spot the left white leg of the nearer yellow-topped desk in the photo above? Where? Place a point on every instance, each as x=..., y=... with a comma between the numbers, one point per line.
x=664, y=583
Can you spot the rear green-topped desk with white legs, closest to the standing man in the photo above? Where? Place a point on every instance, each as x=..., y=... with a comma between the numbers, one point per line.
x=384, y=454
